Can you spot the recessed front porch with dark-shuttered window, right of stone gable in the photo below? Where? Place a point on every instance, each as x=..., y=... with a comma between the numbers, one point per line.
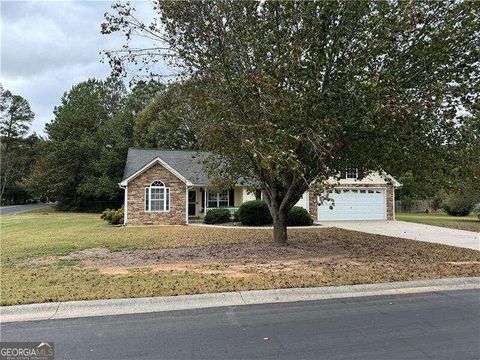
x=201, y=199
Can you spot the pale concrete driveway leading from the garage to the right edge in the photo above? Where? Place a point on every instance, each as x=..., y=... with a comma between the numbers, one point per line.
x=406, y=230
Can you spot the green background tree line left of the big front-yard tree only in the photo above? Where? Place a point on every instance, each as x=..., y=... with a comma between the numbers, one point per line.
x=79, y=161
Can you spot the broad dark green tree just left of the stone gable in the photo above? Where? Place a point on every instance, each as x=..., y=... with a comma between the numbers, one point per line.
x=87, y=142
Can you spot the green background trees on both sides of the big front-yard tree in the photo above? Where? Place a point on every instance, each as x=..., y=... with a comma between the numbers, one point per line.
x=81, y=157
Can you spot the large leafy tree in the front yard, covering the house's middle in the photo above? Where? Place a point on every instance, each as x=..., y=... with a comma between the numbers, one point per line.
x=294, y=92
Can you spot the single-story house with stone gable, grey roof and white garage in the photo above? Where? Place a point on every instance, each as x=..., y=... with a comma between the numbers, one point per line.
x=171, y=187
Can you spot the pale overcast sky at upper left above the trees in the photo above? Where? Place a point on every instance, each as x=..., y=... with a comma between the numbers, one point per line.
x=48, y=46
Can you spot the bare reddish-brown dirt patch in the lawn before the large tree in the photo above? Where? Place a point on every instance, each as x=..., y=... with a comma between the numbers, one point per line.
x=233, y=260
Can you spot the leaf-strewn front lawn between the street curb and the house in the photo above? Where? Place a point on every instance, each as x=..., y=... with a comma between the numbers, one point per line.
x=55, y=256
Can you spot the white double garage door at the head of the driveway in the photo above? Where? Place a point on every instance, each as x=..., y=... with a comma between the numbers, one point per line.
x=354, y=204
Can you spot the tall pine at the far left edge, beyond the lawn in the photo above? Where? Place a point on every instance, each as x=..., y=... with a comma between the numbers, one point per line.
x=15, y=119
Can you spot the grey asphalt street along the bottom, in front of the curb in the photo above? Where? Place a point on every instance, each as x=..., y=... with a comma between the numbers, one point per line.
x=417, y=326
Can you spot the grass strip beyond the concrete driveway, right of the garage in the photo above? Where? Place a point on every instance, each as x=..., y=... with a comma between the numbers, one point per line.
x=470, y=222
